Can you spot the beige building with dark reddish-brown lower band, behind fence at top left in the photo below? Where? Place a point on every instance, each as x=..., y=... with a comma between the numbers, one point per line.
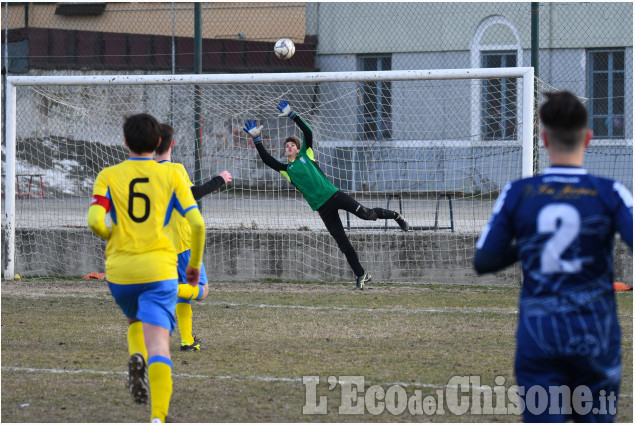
x=153, y=37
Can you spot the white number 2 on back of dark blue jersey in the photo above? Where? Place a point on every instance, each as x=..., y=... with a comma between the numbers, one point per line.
x=563, y=221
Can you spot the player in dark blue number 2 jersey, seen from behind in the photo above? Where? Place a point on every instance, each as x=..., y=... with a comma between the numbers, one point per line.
x=561, y=226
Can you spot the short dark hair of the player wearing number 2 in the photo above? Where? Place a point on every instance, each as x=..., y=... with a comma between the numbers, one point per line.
x=565, y=119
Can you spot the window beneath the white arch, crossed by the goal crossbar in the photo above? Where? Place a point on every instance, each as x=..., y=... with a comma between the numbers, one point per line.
x=499, y=99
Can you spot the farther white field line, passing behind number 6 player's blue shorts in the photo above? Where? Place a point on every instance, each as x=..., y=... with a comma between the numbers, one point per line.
x=306, y=307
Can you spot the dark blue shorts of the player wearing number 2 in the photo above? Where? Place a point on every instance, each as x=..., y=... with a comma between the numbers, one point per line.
x=574, y=350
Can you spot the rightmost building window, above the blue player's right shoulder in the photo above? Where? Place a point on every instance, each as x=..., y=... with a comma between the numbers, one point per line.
x=606, y=92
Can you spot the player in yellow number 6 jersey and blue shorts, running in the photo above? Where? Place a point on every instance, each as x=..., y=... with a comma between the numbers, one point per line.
x=141, y=196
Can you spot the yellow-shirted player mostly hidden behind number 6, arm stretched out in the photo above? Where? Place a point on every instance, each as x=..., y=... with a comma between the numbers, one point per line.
x=181, y=238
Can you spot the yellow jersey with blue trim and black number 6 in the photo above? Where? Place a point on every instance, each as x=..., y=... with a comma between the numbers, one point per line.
x=141, y=197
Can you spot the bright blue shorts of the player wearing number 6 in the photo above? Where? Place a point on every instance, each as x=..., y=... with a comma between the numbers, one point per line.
x=152, y=303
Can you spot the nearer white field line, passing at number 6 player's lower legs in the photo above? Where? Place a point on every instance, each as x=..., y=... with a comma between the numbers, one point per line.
x=241, y=378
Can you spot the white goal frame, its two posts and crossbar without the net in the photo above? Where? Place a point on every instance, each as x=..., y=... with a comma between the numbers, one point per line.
x=525, y=109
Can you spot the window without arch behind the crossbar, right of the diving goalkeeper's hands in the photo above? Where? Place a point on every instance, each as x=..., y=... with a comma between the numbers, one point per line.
x=376, y=107
